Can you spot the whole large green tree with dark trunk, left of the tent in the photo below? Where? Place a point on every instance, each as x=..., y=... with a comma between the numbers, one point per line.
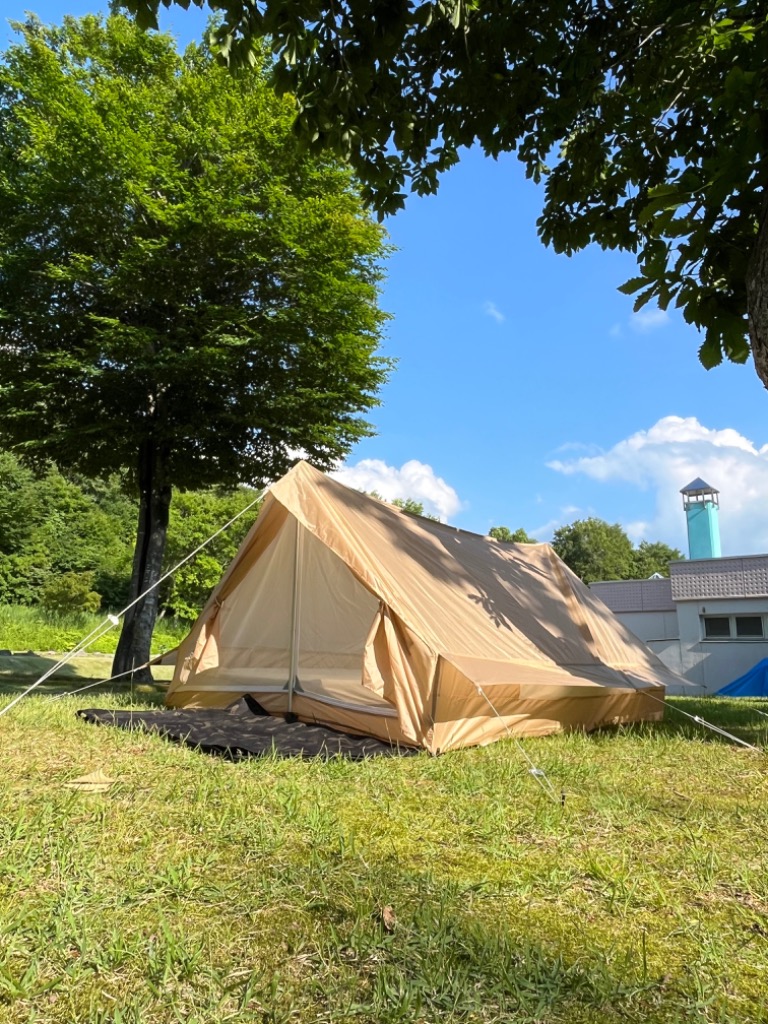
x=185, y=294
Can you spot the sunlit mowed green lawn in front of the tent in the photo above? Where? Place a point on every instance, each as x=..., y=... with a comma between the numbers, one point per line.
x=395, y=890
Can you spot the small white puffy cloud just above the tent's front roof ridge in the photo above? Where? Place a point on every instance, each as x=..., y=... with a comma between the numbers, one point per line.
x=414, y=480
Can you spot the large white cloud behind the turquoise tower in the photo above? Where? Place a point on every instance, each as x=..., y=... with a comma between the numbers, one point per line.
x=671, y=454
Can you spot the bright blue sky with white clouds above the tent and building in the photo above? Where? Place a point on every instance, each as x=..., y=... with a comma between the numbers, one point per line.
x=527, y=393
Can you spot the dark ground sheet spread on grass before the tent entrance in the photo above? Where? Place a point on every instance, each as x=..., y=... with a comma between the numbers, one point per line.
x=244, y=731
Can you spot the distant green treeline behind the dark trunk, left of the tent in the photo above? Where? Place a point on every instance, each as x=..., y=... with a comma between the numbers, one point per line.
x=67, y=542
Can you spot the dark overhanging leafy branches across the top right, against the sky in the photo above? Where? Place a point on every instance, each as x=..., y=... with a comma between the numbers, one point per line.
x=648, y=118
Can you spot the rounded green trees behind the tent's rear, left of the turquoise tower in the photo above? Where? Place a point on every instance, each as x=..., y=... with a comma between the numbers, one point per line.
x=596, y=550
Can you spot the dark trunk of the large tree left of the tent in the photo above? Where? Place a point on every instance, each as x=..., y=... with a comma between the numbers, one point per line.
x=155, y=501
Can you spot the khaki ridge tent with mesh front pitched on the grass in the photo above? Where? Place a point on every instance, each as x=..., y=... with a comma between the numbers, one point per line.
x=344, y=611
